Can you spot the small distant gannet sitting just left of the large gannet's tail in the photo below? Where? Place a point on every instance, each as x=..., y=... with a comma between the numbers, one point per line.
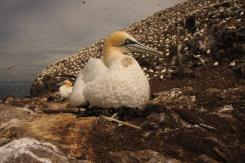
x=65, y=89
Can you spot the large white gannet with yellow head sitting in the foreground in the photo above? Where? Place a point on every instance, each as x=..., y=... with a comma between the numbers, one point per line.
x=116, y=80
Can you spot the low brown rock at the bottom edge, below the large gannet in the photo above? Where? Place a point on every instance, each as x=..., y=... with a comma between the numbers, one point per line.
x=141, y=156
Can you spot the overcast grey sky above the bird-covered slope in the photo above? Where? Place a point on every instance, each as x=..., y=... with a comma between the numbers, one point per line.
x=34, y=33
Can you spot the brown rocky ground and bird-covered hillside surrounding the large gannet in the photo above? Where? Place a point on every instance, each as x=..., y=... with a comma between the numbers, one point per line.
x=196, y=112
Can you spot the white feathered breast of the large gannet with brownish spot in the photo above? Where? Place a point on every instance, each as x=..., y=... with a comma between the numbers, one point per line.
x=124, y=84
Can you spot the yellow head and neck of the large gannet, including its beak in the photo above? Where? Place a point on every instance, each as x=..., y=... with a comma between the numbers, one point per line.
x=119, y=43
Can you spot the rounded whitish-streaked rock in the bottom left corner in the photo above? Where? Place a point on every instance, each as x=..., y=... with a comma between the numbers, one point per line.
x=31, y=150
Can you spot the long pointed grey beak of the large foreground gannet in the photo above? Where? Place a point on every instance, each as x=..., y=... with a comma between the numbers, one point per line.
x=138, y=47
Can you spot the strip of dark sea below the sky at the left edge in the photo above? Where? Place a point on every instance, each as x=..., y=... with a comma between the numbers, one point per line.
x=15, y=88
